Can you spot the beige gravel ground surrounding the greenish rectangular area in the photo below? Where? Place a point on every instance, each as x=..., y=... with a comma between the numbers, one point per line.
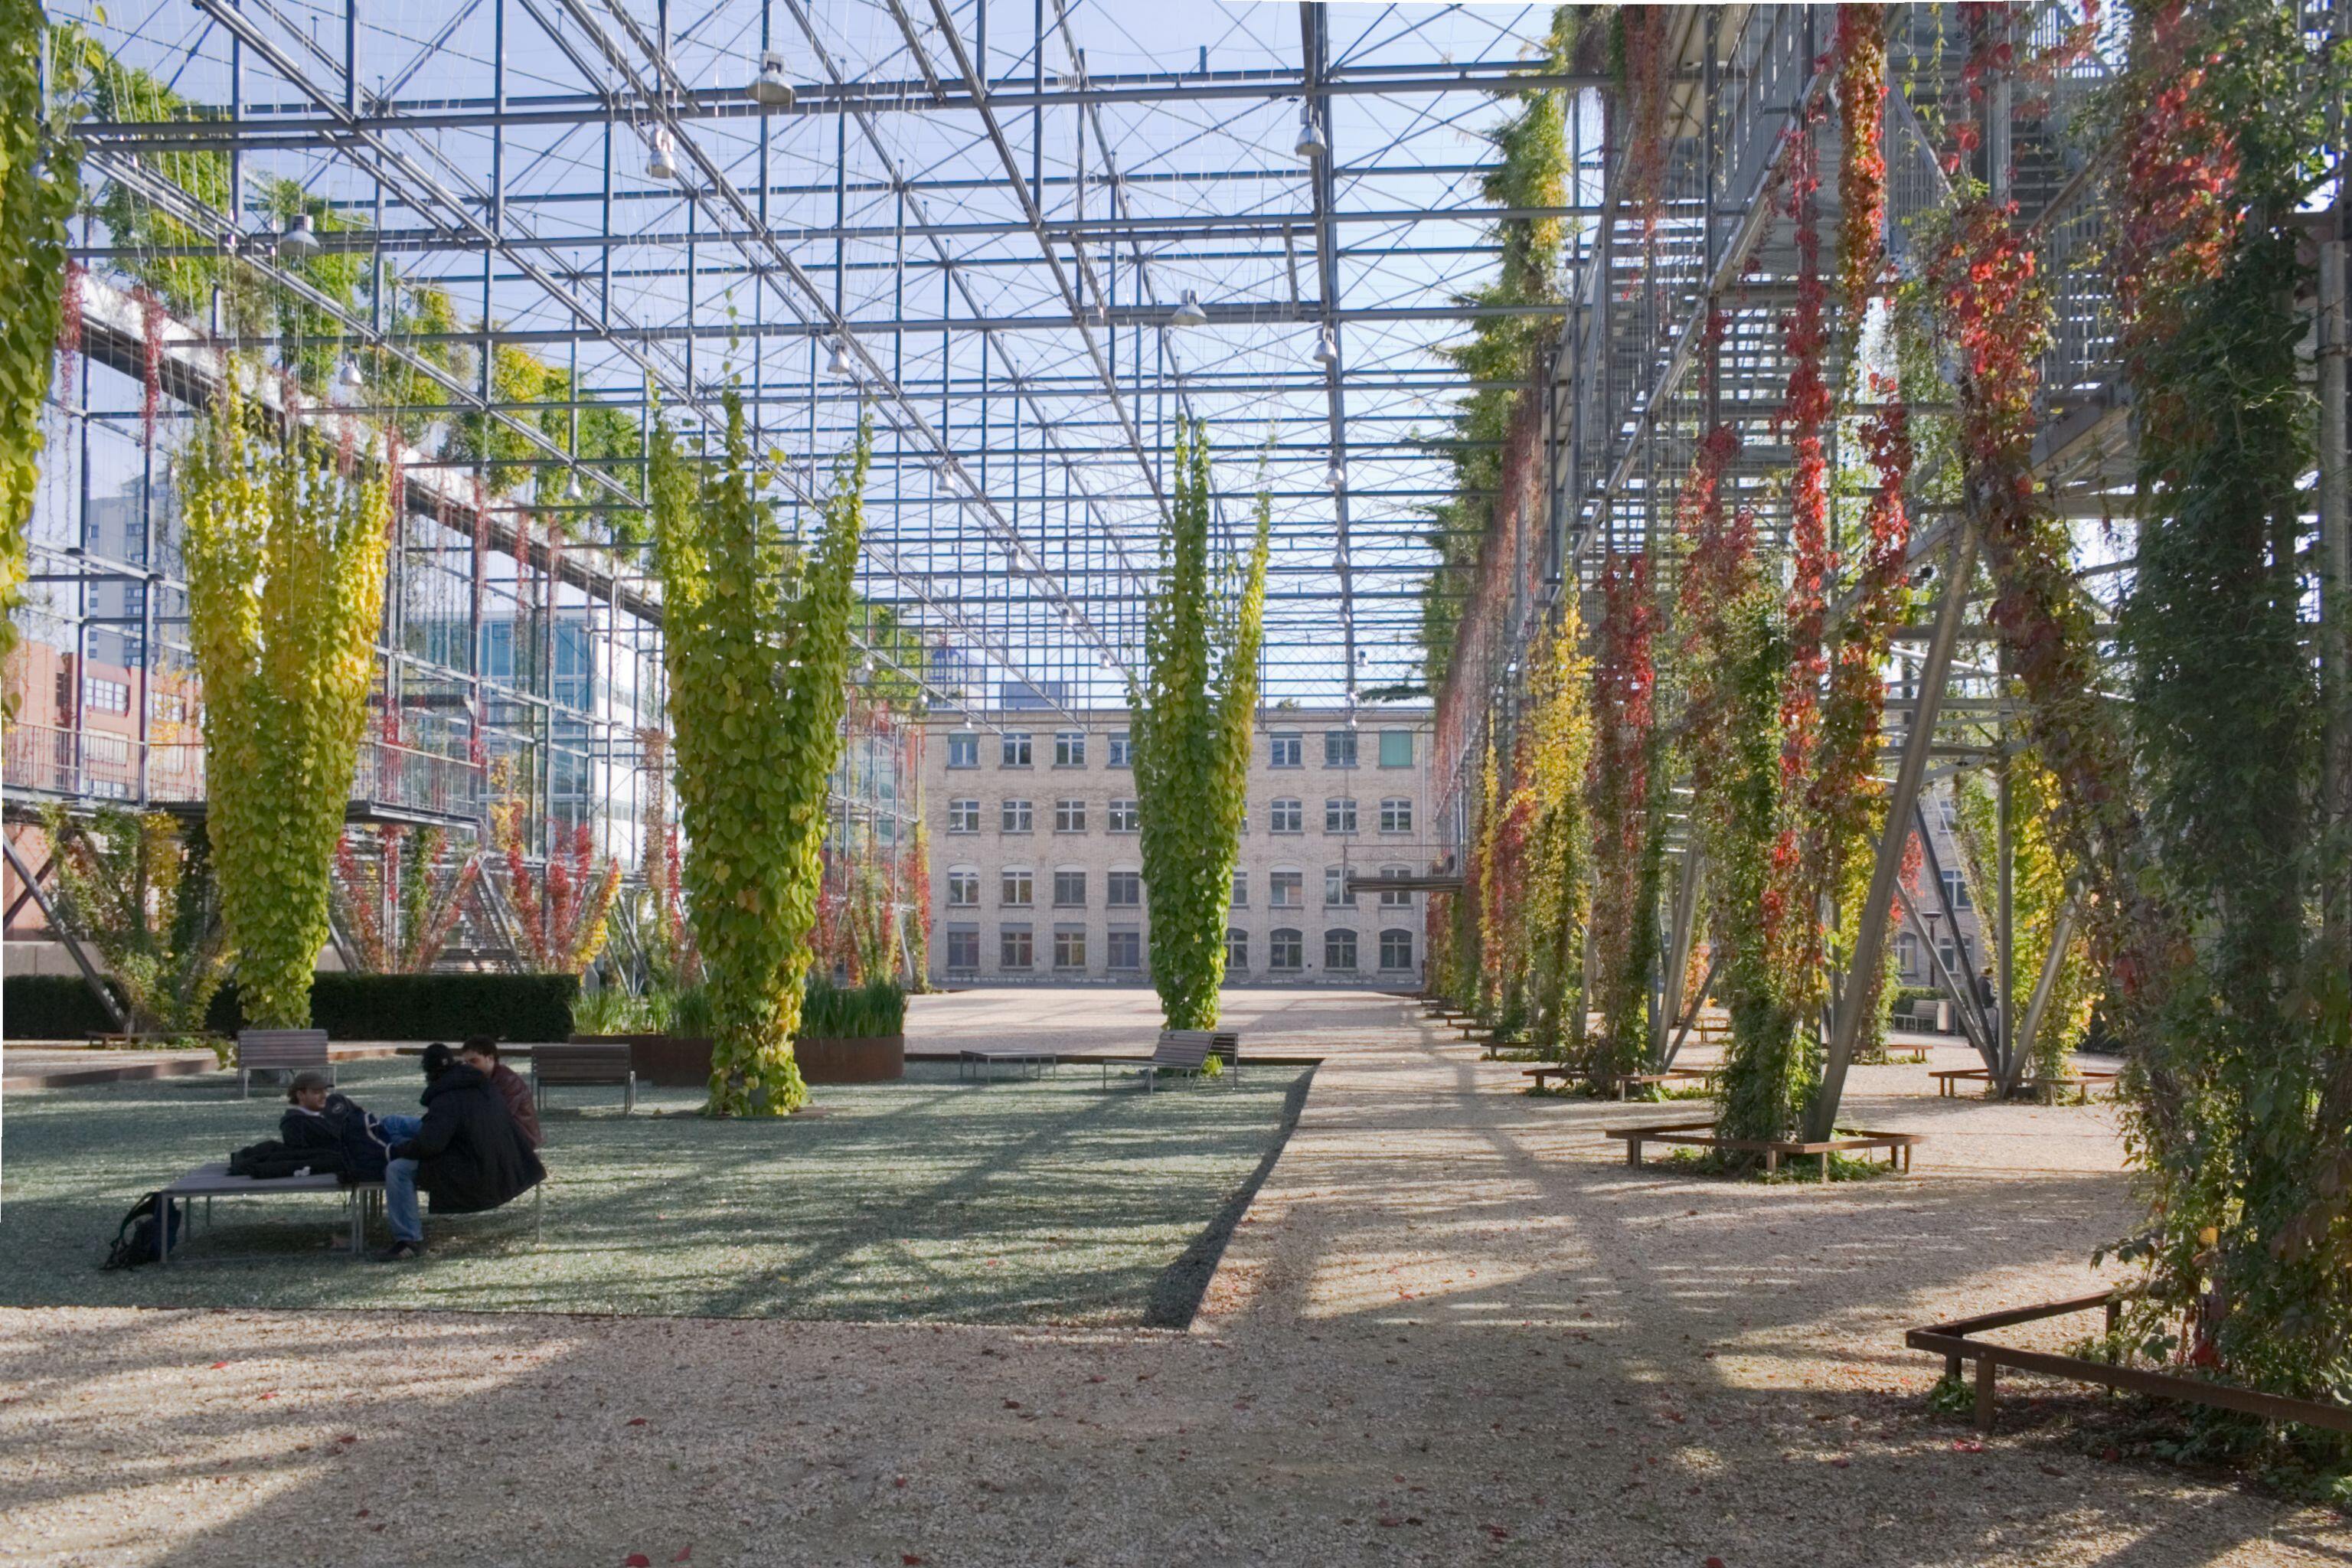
x=1452, y=1329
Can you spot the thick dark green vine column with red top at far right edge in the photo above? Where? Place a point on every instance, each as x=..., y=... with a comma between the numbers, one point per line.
x=2243, y=1108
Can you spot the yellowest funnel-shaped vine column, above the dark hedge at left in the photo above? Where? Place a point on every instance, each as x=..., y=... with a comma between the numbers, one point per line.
x=286, y=596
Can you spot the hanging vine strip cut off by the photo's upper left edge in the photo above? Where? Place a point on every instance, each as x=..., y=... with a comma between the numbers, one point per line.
x=39, y=189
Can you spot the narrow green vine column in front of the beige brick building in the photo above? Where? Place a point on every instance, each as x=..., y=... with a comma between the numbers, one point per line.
x=1191, y=721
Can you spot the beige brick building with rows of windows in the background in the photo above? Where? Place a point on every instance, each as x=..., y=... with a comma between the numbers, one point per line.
x=1038, y=857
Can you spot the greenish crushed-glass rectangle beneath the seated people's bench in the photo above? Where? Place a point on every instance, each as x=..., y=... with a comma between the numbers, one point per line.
x=1015, y=1202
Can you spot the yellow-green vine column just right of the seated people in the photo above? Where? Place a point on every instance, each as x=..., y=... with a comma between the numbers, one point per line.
x=759, y=657
